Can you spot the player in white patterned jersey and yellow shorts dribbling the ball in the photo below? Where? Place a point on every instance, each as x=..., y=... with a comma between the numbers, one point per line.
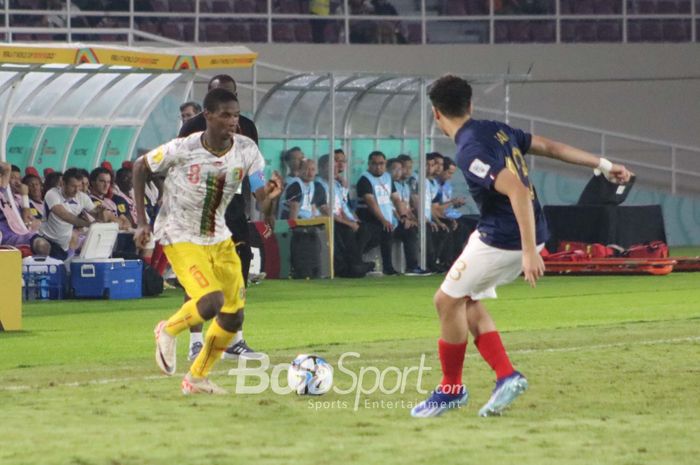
x=203, y=171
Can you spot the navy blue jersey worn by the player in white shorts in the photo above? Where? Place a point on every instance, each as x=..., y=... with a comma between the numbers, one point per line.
x=484, y=148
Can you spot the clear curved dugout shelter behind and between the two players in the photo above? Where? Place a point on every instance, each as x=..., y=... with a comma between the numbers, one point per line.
x=361, y=112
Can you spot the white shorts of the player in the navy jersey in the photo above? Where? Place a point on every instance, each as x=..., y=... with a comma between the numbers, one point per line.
x=480, y=268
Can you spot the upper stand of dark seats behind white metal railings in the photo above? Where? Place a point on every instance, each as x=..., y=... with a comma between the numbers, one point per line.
x=353, y=22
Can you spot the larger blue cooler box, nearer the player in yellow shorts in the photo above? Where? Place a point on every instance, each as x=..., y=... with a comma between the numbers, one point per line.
x=112, y=278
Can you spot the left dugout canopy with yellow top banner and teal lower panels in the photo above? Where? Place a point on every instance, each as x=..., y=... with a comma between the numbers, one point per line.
x=77, y=105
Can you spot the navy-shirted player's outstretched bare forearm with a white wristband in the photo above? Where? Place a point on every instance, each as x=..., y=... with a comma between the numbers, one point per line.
x=564, y=152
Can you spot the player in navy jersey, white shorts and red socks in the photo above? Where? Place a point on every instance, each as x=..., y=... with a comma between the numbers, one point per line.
x=509, y=236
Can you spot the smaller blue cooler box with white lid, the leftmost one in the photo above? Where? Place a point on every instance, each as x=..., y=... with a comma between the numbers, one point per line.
x=44, y=278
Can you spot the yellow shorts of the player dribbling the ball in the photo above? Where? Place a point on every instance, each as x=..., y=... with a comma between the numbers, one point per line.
x=203, y=269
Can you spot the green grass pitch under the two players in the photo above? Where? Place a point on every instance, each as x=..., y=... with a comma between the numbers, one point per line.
x=613, y=364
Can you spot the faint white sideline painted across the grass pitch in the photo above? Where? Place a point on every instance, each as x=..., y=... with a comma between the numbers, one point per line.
x=221, y=372
